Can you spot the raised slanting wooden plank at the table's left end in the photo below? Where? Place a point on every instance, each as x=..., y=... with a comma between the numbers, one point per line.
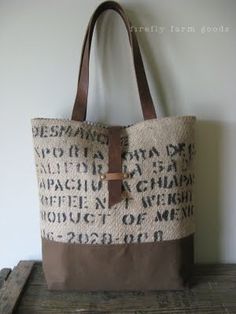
x=13, y=286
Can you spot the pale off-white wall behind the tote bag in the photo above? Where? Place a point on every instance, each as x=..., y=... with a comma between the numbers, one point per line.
x=189, y=73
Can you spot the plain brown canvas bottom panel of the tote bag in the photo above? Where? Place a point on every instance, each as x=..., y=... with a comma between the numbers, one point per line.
x=138, y=266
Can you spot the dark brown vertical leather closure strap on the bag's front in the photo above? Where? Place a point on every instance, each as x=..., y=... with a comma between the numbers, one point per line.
x=114, y=164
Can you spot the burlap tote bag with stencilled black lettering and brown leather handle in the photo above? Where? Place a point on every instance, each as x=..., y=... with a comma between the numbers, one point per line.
x=116, y=202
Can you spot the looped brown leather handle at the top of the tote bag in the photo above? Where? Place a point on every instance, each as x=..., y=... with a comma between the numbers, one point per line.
x=80, y=105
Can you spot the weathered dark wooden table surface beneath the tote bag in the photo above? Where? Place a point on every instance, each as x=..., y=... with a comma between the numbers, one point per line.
x=214, y=291
